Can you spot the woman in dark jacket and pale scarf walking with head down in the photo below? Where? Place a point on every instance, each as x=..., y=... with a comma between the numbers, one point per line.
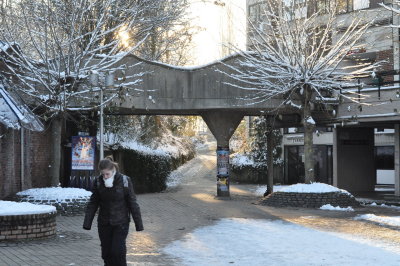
x=115, y=198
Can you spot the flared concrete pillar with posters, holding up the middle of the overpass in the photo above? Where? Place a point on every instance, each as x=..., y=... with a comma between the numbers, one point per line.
x=222, y=124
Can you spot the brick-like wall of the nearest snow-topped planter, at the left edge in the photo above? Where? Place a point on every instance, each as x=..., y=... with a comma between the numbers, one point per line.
x=28, y=226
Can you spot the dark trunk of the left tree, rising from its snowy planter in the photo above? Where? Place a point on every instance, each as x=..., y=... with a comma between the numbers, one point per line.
x=55, y=154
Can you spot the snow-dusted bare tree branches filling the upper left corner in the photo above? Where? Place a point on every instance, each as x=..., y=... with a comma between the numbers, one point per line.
x=50, y=47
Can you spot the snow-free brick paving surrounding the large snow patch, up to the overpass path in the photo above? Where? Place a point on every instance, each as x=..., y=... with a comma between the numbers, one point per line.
x=170, y=215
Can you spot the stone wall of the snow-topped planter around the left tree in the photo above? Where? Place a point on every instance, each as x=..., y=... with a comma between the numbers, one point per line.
x=71, y=207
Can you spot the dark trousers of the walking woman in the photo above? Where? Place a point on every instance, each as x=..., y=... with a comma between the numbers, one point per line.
x=113, y=244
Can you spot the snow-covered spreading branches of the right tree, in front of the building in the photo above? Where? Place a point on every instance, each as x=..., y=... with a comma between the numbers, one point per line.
x=292, y=48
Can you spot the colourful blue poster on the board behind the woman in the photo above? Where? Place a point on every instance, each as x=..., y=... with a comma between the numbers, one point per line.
x=83, y=152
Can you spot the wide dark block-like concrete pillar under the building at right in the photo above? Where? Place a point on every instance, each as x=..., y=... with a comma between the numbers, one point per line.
x=353, y=159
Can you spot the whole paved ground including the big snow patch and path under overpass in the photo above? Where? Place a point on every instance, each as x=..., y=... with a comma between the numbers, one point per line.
x=187, y=225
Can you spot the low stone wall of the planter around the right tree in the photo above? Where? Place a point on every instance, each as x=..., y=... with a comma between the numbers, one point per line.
x=309, y=200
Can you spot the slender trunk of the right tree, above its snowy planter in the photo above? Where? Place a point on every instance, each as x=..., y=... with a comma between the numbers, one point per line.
x=308, y=138
